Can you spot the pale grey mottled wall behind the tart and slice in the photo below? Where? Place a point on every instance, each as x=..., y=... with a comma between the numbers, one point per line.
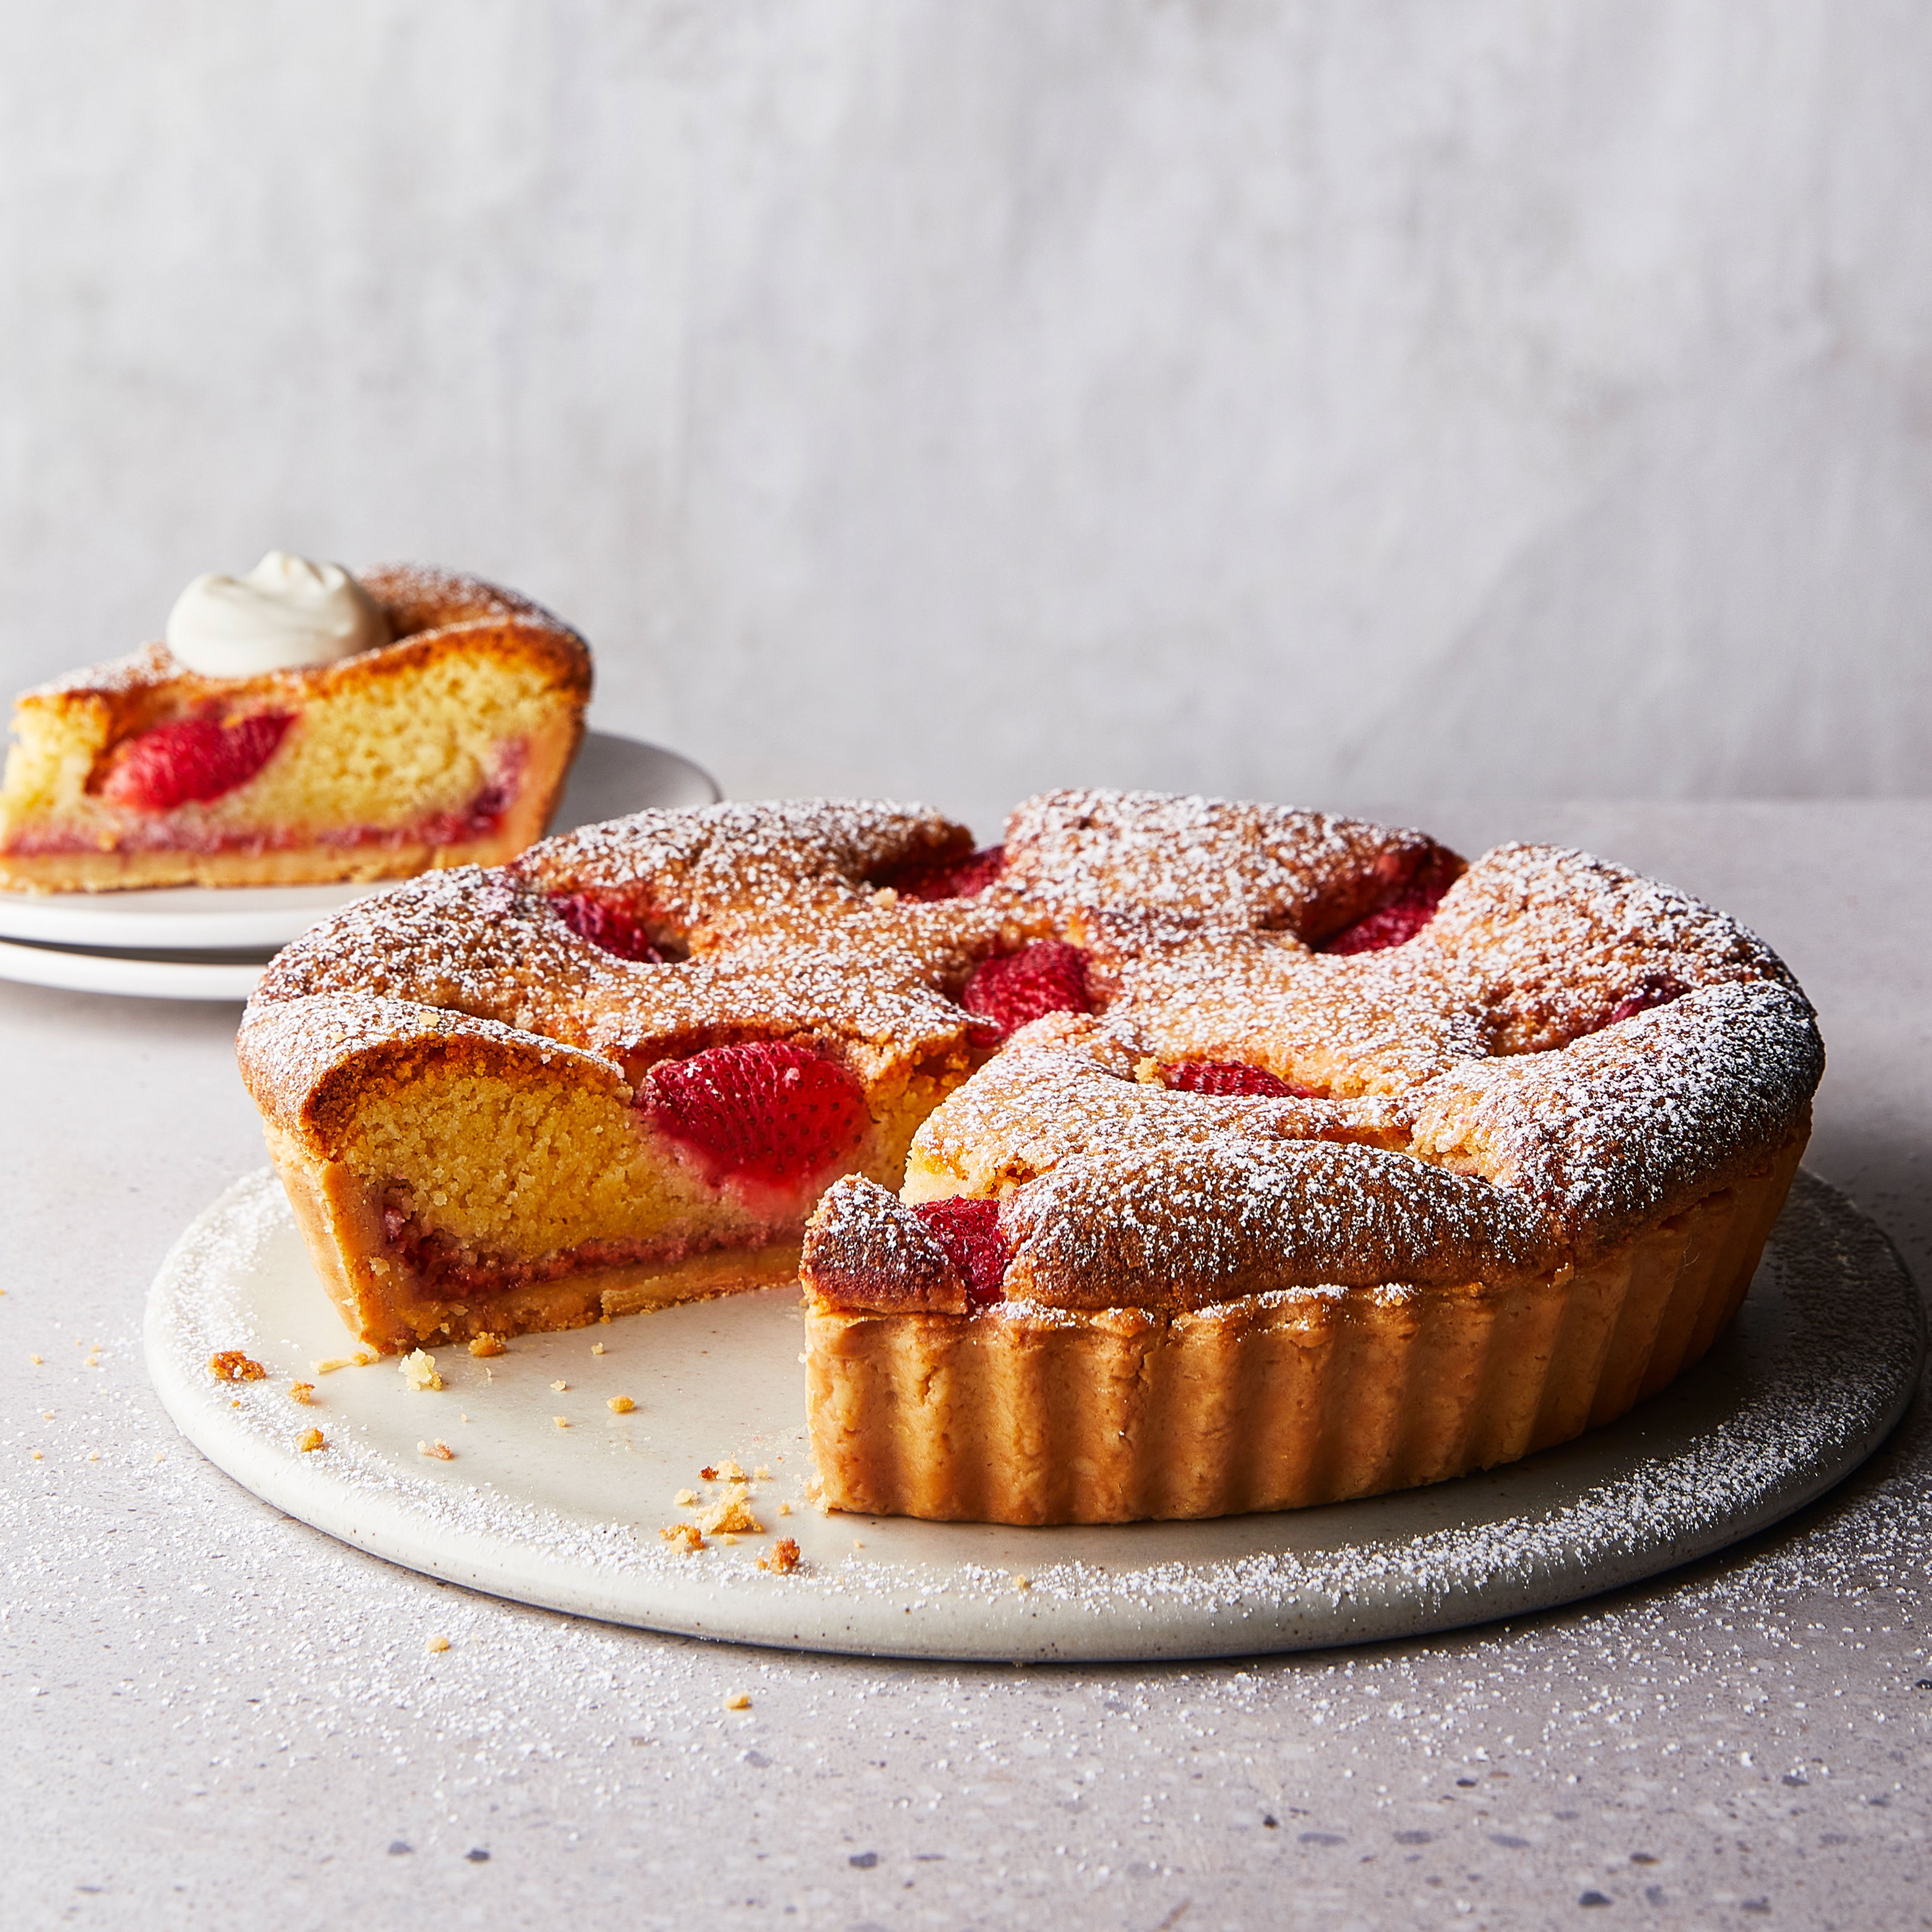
x=948, y=401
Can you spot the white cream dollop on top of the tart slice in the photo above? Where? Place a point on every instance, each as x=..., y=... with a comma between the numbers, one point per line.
x=285, y=613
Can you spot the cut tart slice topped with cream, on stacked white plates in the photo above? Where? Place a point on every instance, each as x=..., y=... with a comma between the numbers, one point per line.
x=298, y=725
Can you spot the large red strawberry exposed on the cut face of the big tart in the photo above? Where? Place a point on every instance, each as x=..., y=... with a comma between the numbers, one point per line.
x=766, y=1112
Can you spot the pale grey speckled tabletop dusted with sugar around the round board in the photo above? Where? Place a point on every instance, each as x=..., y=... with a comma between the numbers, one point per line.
x=217, y=1717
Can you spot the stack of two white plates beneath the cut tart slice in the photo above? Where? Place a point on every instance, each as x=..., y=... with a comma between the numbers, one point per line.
x=101, y=942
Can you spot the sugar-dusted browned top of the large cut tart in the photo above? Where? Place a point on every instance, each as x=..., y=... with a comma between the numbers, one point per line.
x=1317, y=1054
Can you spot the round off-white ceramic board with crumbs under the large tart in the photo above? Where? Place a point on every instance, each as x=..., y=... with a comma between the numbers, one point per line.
x=1811, y=1378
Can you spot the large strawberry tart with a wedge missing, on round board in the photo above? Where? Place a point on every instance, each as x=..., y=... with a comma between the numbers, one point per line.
x=1172, y=1160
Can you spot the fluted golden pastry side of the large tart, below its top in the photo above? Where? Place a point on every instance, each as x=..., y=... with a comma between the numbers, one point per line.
x=1276, y=1402
